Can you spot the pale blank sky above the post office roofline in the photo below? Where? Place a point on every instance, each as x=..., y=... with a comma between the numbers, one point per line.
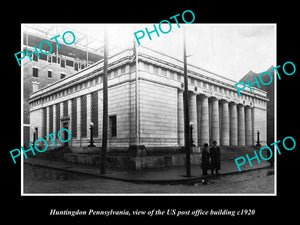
x=229, y=50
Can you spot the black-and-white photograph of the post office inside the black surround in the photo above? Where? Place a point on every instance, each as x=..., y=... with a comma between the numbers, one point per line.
x=106, y=110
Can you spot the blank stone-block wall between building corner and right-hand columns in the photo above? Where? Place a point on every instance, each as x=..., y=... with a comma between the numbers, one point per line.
x=158, y=115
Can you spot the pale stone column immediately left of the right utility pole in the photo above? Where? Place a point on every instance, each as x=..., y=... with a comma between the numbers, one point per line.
x=180, y=118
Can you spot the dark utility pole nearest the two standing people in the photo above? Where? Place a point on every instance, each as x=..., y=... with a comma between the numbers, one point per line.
x=186, y=113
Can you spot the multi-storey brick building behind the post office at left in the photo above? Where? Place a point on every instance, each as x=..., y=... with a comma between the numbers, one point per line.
x=50, y=68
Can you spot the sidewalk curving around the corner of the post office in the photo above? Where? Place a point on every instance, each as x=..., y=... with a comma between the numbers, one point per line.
x=158, y=176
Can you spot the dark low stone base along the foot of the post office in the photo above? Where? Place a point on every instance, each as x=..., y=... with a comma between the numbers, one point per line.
x=140, y=158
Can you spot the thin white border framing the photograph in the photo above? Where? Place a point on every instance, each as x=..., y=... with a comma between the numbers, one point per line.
x=181, y=194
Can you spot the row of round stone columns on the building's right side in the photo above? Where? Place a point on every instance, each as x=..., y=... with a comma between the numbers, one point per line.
x=216, y=119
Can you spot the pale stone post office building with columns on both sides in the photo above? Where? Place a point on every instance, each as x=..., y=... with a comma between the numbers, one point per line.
x=145, y=105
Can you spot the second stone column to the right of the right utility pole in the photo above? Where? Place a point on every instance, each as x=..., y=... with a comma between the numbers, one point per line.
x=204, y=125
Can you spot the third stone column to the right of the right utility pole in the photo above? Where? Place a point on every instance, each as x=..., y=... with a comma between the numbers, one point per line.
x=215, y=124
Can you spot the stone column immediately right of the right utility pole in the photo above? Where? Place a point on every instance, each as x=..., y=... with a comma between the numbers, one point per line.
x=193, y=115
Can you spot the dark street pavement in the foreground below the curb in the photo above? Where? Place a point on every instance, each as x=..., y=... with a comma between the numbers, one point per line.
x=45, y=181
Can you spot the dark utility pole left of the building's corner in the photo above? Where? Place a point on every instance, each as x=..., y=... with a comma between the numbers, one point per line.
x=105, y=100
